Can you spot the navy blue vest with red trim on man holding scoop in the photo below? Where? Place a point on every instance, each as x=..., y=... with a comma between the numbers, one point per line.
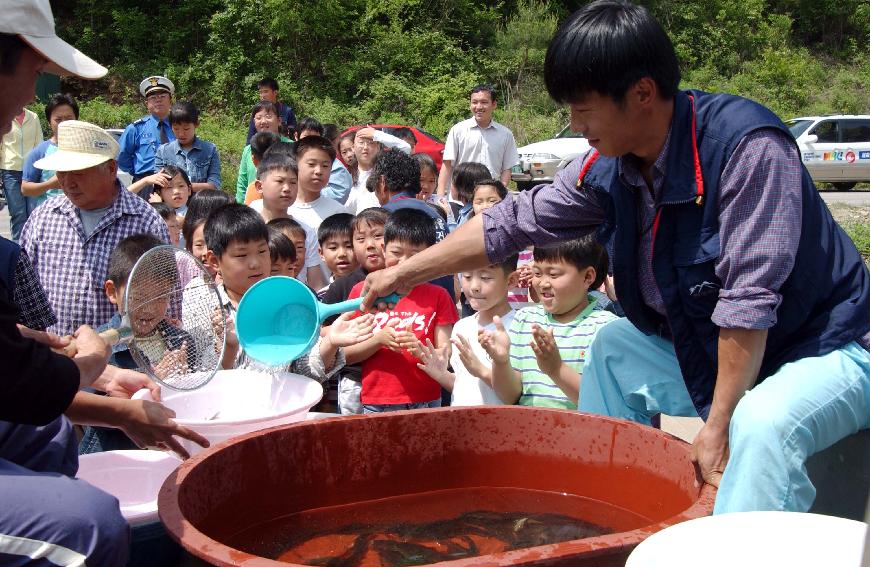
x=826, y=298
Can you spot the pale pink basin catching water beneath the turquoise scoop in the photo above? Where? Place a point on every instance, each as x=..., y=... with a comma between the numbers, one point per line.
x=240, y=401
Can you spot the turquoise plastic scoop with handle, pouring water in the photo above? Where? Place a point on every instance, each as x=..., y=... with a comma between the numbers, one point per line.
x=279, y=319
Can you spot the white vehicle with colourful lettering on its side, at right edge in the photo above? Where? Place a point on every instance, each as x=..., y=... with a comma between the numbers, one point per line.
x=834, y=149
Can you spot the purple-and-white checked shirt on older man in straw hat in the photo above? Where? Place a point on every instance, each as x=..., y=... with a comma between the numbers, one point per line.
x=71, y=266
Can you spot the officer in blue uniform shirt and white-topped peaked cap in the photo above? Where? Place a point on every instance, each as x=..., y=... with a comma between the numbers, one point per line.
x=140, y=140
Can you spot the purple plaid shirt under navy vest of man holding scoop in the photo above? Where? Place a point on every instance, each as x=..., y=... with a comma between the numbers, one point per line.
x=759, y=218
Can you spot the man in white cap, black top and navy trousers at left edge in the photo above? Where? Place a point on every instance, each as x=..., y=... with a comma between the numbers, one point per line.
x=46, y=517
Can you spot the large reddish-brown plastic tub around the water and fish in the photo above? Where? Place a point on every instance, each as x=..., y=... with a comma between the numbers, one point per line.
x=270, y=474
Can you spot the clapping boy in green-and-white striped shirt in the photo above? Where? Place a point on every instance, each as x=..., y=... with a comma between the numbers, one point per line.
x=539, y=360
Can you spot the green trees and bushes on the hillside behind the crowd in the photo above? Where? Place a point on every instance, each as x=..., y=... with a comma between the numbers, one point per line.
x=414, y=61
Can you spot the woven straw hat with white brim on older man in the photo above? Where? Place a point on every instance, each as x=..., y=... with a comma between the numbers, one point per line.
x=80, y=145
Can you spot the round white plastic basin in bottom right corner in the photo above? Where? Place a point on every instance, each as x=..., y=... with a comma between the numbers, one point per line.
x=755, y=538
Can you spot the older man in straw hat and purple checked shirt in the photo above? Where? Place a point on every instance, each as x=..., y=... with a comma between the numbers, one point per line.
x=70, y=238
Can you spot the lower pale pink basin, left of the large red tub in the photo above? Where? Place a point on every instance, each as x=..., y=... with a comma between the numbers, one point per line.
x=133, y=477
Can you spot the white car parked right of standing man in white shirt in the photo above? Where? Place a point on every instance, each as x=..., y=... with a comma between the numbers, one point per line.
x=539, y=162
